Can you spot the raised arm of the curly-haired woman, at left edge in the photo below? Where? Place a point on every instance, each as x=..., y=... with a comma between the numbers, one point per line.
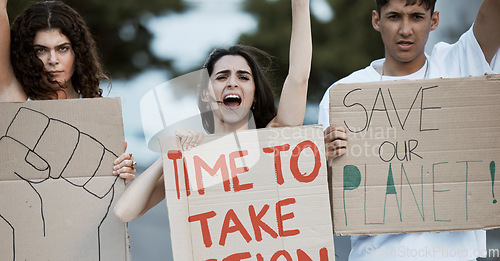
x=10, y=88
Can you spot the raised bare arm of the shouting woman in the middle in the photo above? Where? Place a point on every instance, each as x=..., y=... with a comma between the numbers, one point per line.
x=293, y=99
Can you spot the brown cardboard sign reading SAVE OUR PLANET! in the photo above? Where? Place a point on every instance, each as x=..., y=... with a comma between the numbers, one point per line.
x=421, y=155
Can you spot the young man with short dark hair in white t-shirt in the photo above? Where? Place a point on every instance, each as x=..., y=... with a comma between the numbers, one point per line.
x=404, y=26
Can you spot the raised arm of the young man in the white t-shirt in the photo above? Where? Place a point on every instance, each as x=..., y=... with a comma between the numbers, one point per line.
x=486, y=28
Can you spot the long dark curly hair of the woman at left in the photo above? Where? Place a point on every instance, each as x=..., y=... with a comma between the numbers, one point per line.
x=29, y=69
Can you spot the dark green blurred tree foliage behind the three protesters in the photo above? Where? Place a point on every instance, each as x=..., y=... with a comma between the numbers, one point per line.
x=343, y=42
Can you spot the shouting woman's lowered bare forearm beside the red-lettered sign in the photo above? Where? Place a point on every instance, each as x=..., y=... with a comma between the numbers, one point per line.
x=143, y=194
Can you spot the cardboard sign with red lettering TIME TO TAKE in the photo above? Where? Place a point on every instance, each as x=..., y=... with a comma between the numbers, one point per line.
x=256, y=194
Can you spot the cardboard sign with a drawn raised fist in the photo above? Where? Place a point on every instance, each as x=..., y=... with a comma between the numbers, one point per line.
x=56, y=182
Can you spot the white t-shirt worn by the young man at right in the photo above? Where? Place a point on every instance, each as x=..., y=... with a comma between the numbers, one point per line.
x=462, y=59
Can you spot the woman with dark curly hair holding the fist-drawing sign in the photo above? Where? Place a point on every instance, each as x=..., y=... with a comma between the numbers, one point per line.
x=52, y=56
